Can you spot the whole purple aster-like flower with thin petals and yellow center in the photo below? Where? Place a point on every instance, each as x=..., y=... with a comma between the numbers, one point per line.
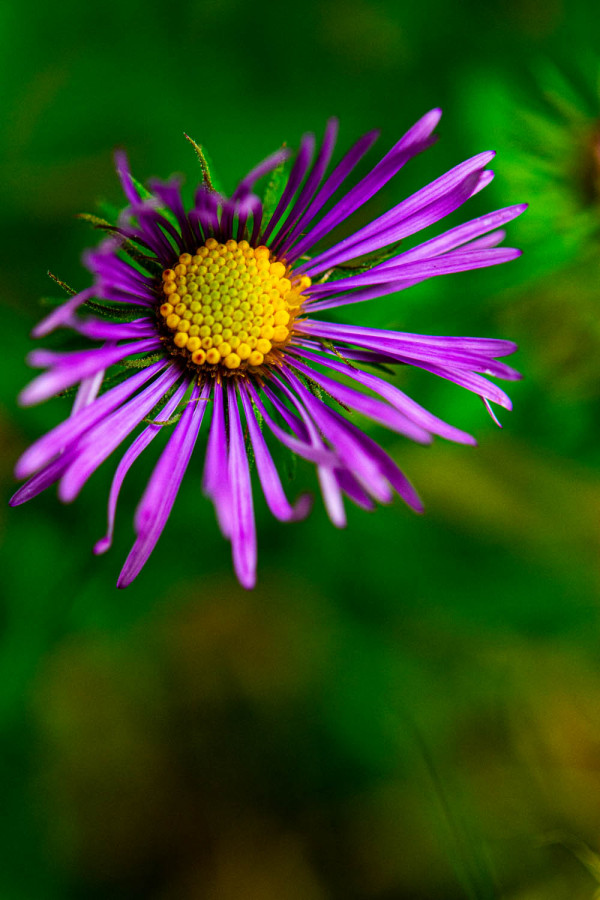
x=213, y=316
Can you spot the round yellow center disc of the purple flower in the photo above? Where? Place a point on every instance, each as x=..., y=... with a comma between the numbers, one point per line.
x=231, y=305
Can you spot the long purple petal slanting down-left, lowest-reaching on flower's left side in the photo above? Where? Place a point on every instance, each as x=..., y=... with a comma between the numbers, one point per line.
x=156, y=504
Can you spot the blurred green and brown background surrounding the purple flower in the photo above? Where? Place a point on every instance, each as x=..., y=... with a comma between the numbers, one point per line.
x=409, y=708
